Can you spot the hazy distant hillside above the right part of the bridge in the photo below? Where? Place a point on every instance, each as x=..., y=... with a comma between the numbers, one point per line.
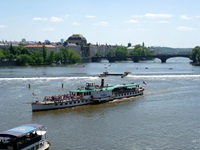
x=169, y=50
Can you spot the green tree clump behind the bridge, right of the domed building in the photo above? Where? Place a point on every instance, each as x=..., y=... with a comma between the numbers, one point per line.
x=122, y=52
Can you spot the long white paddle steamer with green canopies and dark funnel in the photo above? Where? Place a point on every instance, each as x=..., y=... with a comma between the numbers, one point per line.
x=89, y=94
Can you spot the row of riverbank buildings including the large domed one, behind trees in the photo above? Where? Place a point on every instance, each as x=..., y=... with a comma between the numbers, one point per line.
x=76, y=42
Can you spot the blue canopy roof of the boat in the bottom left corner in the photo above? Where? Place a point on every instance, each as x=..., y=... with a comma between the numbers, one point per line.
x=21, y=130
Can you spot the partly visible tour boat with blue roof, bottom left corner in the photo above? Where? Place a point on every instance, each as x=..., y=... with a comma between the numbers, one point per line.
x=25, y=137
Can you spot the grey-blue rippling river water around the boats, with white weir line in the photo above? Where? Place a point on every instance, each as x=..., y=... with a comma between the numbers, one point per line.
x=166, y=117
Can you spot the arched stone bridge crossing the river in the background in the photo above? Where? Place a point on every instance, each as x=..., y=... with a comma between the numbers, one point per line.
x=162, y=57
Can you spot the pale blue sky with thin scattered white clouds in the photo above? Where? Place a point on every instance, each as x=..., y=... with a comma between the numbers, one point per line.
x=169, y=23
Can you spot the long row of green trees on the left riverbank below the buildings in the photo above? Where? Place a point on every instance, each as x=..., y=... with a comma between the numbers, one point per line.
x=24, y=56
